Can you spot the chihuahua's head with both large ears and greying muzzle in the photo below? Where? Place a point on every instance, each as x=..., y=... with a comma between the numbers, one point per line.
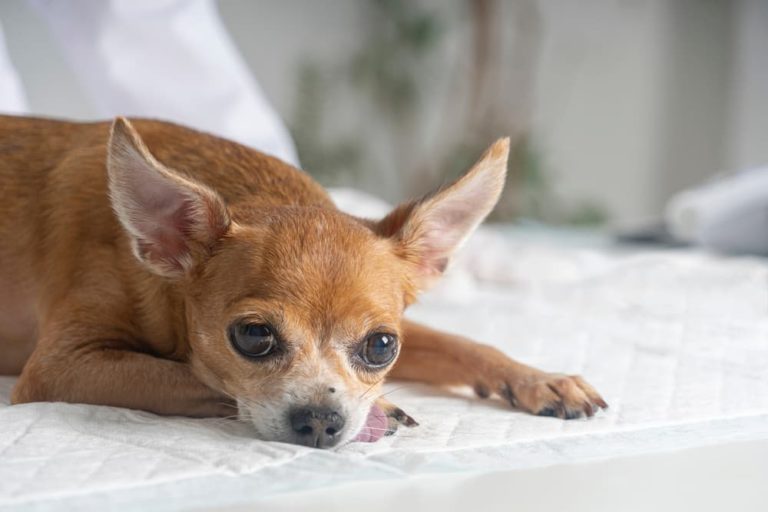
x=295, y=312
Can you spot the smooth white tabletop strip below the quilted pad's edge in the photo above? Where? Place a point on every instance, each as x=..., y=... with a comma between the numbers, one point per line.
x=705, y=479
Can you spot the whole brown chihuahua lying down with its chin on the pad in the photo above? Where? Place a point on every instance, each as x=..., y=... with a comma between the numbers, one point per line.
x=154, y=267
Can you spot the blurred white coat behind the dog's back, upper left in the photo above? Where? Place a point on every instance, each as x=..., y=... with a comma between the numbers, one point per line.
x=166, y=59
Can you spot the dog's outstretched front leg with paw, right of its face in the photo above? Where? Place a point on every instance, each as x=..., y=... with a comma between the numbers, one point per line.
x=443, y=359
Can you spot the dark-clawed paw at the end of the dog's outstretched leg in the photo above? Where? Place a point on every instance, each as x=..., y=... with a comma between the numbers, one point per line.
x=548, y=394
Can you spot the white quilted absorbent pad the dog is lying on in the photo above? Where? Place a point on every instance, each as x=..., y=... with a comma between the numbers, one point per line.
x=676, y=342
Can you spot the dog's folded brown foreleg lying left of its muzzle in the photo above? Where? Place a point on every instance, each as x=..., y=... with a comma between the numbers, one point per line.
x=105, y=374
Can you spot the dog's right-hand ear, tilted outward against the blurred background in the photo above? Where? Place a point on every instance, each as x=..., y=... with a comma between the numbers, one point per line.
x=428, y=231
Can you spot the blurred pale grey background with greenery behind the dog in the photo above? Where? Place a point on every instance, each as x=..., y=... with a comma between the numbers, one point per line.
x=613, y=105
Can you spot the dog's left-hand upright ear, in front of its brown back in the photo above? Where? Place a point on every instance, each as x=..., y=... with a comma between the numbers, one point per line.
x=171, y=220
